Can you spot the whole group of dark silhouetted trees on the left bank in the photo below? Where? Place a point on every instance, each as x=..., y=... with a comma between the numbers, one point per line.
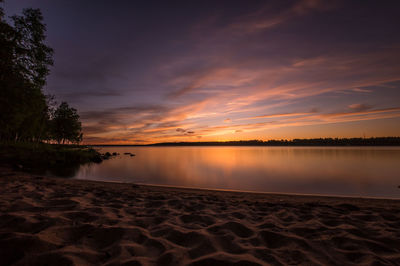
x=26, y=113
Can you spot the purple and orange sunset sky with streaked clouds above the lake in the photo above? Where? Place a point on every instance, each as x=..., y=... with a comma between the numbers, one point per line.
x=143, y=72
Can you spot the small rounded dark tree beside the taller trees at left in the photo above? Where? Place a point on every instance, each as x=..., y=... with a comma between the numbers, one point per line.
x=66, y=125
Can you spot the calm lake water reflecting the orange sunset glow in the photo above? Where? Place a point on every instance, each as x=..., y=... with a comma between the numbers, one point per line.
x=351, y=171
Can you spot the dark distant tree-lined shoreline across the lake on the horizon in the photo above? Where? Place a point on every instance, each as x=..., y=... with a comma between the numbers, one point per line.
x=334, y=142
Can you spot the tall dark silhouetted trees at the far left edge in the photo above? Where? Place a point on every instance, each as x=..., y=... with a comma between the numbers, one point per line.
x=24, y=65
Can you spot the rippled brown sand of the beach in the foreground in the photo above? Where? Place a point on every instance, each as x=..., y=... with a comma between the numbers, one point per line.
x=50, y=221
